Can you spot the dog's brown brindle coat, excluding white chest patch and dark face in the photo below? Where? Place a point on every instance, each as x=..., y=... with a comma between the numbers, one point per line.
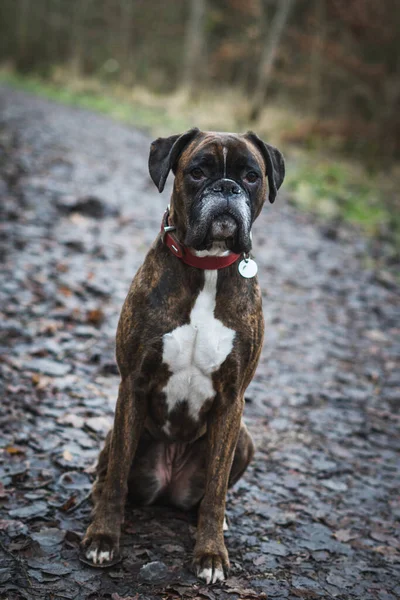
x=160, y=299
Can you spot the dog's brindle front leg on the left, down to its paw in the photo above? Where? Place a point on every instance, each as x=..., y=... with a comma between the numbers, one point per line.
x=101, y=541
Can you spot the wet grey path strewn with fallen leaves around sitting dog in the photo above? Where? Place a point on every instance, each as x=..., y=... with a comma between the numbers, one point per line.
x=318, y=513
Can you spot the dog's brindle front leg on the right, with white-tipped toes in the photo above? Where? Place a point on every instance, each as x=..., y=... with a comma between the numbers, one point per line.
x=210, y=561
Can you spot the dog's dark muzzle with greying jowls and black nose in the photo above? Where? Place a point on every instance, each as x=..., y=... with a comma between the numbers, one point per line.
x=222, y=213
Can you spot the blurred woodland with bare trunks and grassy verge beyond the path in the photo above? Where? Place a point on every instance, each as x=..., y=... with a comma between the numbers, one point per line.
x=318, y=76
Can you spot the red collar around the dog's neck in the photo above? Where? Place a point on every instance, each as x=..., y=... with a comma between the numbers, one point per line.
x=180, y=251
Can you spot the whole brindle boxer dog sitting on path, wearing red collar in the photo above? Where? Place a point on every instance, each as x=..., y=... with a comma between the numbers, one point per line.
x=188, y=342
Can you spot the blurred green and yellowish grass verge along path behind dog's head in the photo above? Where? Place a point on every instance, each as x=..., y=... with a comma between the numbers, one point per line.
x=325, y=185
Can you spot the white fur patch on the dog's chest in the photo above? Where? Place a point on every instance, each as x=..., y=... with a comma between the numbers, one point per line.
x=194, y=351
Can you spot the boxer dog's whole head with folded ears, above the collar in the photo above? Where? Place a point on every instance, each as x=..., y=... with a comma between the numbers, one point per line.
x=220, y=184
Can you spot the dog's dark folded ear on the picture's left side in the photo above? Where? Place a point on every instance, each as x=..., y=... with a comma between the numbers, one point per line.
x=164, y=155
